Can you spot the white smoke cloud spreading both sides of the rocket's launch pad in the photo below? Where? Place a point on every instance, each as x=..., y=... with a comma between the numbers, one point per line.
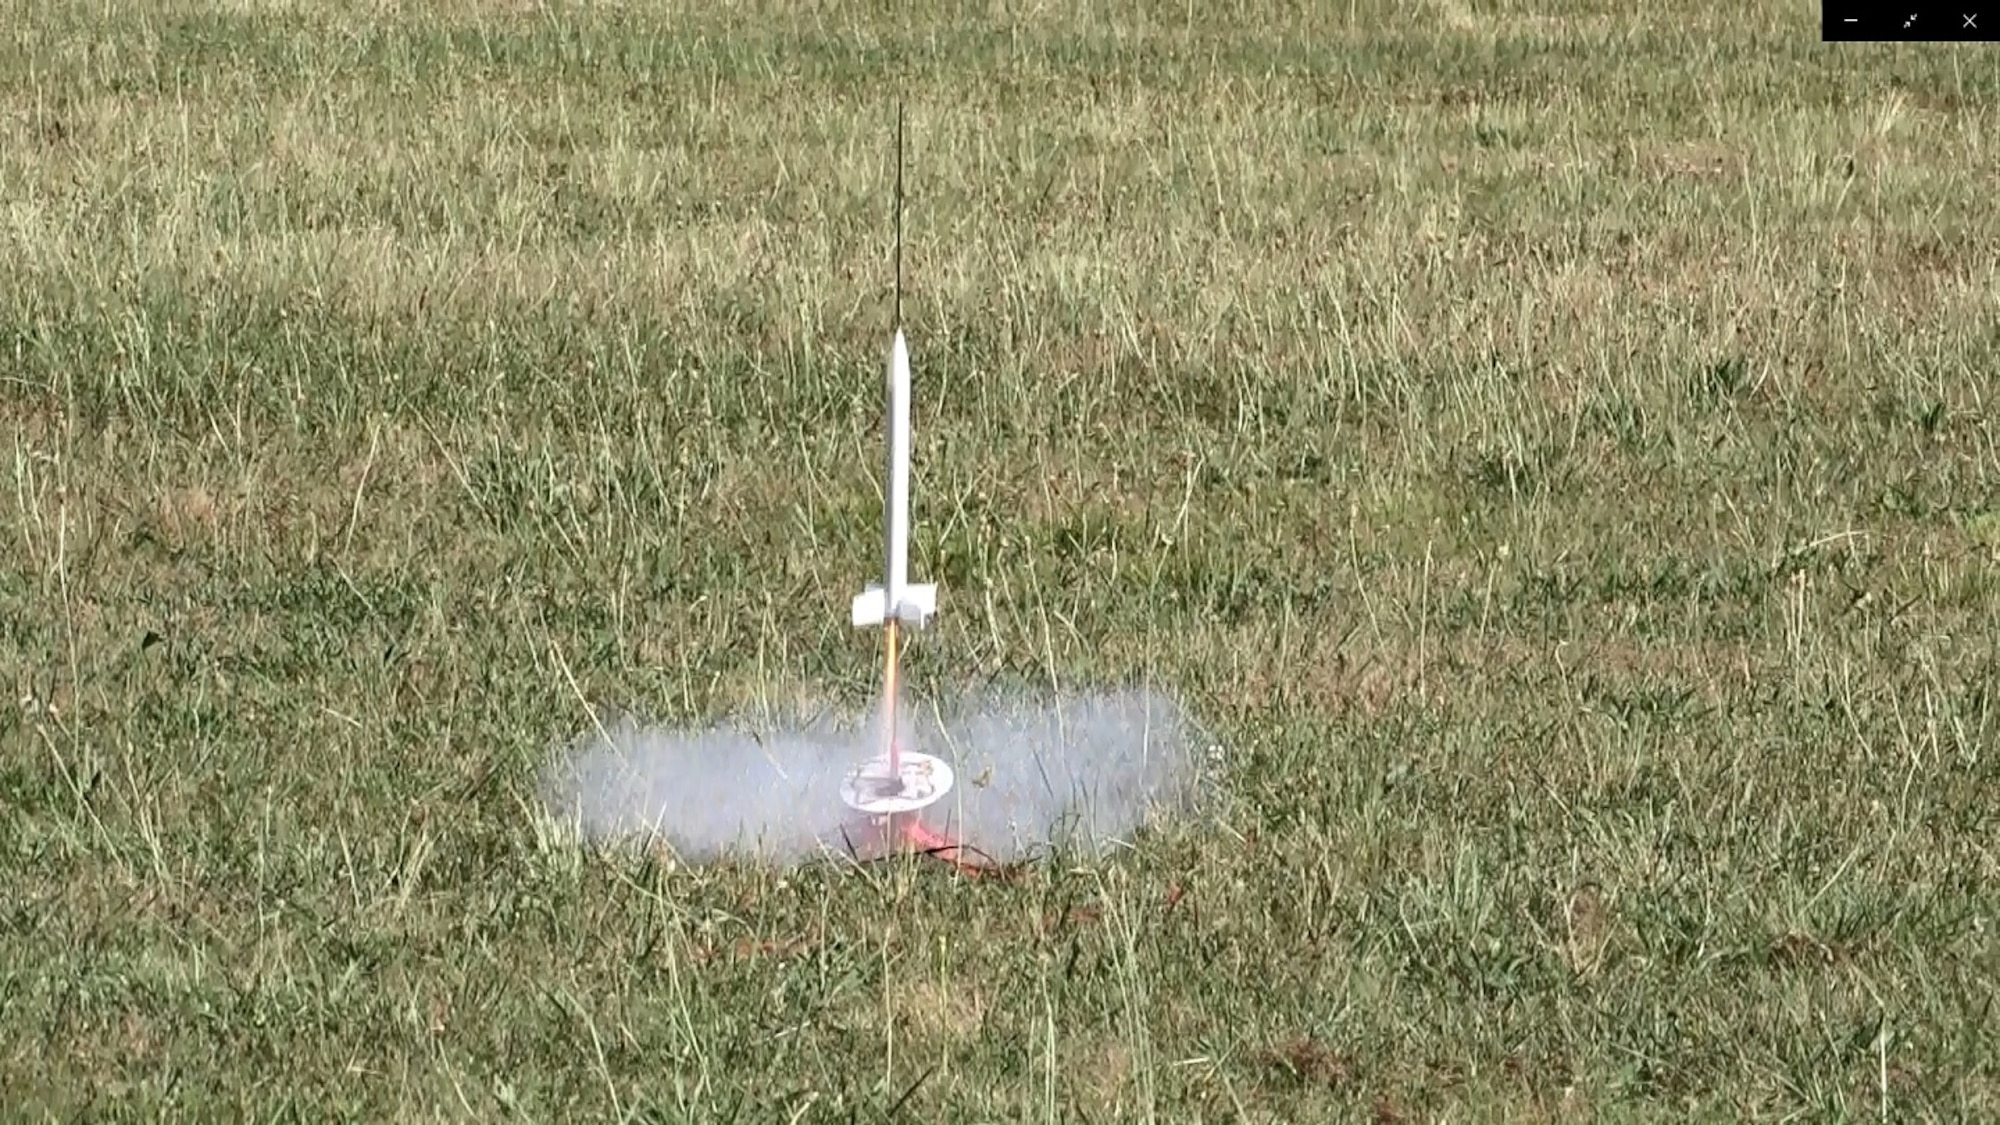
x=1081, y=774
